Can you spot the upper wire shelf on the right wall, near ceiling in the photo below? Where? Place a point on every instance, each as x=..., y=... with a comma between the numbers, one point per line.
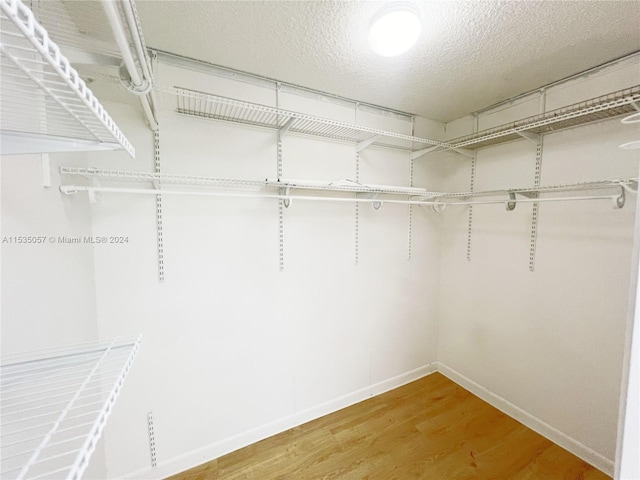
x=599, y=108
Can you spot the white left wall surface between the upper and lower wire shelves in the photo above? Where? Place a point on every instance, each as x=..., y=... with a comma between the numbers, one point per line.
x=48, y=289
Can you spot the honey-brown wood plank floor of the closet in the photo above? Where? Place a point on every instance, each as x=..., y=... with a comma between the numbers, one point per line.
x=430, y=429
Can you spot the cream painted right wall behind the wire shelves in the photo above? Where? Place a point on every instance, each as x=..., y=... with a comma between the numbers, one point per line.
x=549, y=342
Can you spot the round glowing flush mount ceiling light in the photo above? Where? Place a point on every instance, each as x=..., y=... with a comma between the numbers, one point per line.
x=395, y=29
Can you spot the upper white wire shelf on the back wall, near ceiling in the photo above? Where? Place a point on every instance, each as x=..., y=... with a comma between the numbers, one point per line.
x=199, y=104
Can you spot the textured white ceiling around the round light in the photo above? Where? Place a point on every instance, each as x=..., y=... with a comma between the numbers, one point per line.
x=470, y=54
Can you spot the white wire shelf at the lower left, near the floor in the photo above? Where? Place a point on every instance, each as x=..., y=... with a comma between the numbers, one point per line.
x=54, y=405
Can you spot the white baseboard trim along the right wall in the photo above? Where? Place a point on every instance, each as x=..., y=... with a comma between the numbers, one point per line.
x=534, y=423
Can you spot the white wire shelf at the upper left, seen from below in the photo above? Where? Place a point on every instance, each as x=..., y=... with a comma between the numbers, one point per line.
x=41, y=93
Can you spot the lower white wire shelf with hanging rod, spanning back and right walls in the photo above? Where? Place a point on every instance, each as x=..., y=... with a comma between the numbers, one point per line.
x=171, y=184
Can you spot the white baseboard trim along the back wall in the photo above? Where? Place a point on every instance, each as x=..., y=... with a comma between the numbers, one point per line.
x=228, y=445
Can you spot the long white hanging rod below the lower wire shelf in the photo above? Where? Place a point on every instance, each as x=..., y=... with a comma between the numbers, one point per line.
x=73, y=189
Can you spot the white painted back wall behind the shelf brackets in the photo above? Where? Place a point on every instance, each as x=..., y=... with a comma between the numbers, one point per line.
x=235, y=349
